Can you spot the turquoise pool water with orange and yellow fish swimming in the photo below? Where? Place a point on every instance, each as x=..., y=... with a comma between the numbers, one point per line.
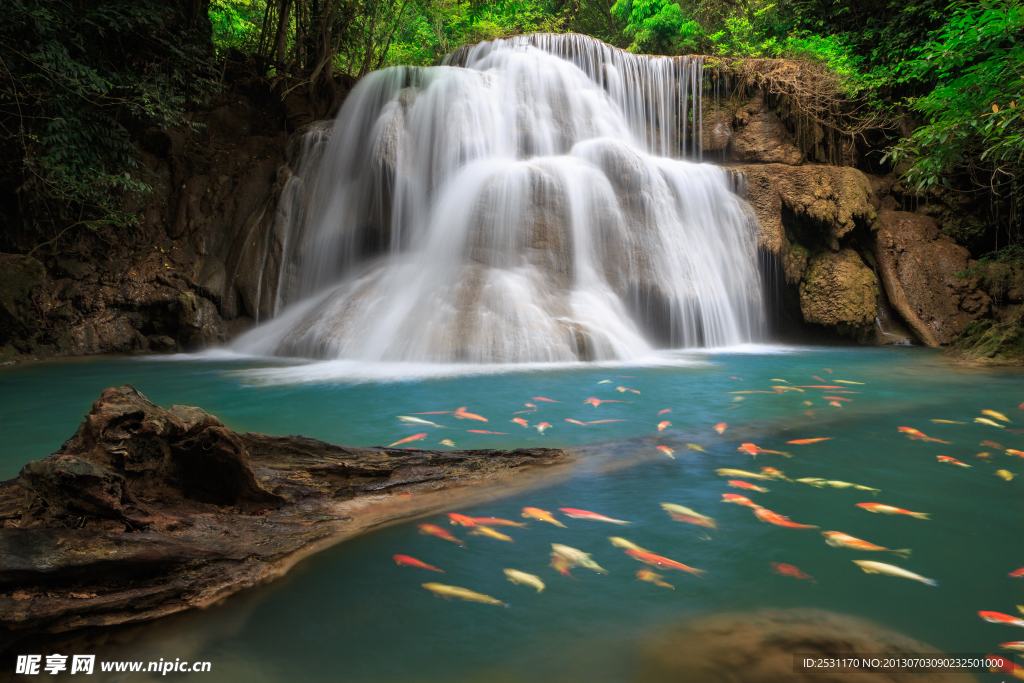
x=353, y=614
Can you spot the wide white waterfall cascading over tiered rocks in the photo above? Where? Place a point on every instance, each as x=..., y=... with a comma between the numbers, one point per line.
x=527, y=202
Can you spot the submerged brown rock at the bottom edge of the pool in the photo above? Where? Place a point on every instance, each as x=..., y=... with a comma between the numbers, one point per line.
x=760, y=648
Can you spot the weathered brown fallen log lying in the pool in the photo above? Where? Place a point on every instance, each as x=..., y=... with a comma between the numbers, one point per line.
x=146, y=511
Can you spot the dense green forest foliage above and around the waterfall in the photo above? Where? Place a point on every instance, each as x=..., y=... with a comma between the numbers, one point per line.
x=941, y=84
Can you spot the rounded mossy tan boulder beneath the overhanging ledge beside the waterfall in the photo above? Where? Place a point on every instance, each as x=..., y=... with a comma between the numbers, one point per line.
x=839, y=291
